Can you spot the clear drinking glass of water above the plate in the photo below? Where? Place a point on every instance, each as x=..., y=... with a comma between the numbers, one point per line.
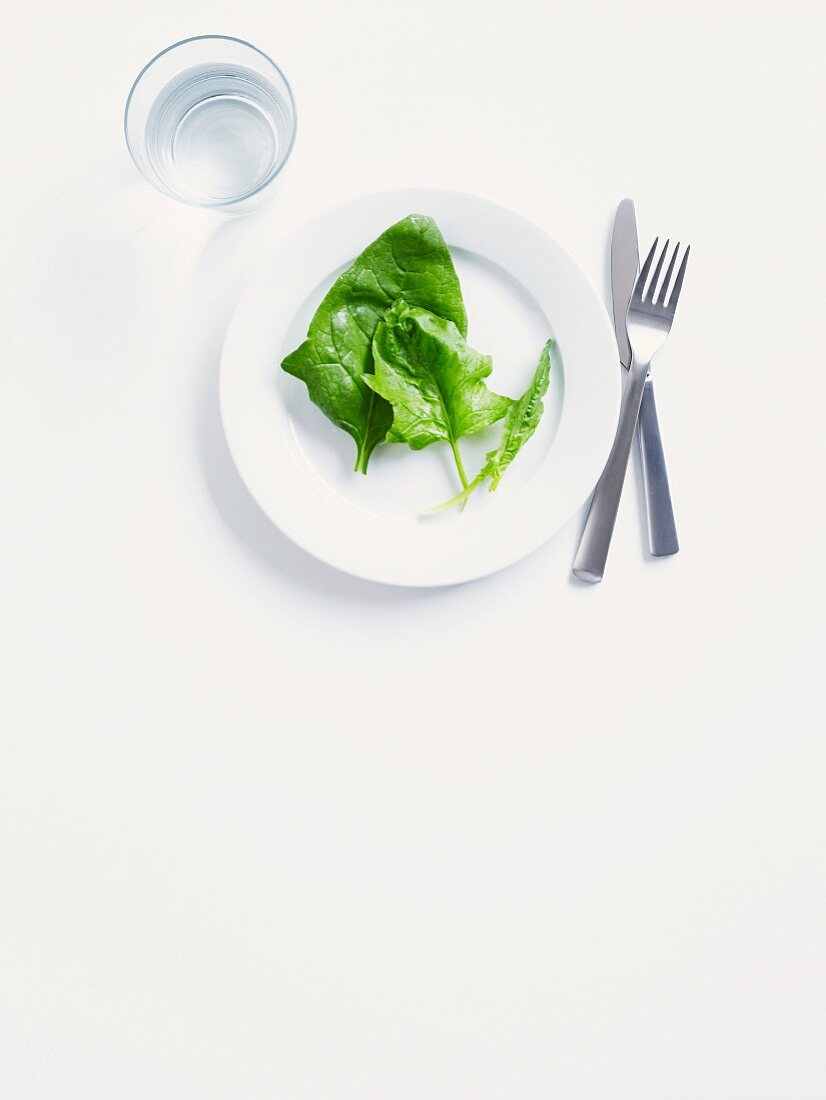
x=212, y=122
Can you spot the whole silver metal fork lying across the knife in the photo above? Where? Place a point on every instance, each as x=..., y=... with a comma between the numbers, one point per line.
x=649, y=324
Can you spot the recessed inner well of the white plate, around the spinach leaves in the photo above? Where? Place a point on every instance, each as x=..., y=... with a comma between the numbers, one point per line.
x=506, y=323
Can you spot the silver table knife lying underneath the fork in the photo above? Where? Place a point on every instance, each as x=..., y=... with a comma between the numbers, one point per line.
x=624, y=268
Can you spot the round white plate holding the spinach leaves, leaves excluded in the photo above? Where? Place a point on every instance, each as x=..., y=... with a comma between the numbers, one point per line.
x=520, y=288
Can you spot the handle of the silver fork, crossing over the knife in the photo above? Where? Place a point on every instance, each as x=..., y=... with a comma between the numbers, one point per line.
x=593, y=553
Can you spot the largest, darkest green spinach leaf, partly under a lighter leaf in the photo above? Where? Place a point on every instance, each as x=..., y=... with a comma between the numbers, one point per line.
x=410, y=261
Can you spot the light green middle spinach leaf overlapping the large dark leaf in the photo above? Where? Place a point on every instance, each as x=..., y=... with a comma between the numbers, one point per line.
x=433, y=379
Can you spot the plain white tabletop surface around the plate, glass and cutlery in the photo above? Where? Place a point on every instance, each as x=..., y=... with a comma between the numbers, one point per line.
x=269, y=832
